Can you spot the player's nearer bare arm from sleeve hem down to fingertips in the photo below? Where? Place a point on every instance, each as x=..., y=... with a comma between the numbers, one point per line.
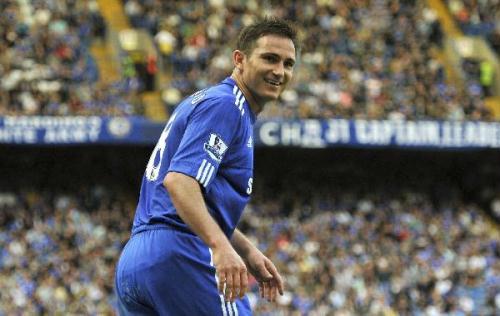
x=188, y=200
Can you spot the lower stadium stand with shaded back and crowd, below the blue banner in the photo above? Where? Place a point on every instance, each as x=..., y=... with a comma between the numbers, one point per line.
x=364, y=242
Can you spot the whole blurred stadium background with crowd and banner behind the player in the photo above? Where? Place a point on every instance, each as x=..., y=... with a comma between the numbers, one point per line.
x=377, y=179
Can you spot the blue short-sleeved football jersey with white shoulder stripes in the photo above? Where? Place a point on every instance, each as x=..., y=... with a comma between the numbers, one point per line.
x=209, y=137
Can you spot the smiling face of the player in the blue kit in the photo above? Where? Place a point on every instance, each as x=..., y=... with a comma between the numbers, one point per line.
x=269, y=68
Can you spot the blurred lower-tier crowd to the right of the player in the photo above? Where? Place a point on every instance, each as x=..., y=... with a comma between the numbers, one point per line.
x=350, y=255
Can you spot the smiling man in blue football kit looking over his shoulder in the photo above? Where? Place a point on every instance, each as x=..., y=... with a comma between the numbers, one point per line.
x=185, y=255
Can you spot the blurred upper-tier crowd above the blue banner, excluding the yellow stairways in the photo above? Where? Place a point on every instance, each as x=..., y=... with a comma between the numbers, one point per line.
x=367, y=59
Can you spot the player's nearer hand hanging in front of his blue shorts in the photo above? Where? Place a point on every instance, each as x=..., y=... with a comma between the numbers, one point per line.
x=231, y=272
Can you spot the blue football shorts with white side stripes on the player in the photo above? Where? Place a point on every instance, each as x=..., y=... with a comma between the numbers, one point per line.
x=163, y=271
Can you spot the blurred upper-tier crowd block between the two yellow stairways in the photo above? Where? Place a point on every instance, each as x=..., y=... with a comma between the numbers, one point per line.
x=359, y=59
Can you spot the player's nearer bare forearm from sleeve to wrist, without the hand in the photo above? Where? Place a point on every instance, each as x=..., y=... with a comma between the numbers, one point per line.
x=188, y=201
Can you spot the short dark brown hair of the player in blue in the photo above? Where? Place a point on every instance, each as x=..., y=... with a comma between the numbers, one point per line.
x=268, y=26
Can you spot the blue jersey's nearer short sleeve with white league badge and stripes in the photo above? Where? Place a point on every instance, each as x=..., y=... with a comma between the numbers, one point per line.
x=210, y=131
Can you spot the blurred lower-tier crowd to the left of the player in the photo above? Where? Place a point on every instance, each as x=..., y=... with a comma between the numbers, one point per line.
x=58, y=252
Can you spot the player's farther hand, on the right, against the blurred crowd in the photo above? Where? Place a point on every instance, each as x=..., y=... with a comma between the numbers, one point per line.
x=270, y=281
